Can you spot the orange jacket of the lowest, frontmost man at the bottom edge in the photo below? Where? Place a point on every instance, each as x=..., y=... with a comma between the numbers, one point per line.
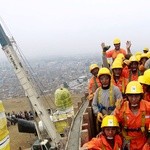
x=100, y=143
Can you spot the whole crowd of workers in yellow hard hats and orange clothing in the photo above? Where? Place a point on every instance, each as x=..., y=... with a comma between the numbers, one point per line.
x=119, y=94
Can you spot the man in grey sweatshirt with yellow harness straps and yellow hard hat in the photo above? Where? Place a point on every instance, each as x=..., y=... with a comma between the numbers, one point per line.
x=105, y=96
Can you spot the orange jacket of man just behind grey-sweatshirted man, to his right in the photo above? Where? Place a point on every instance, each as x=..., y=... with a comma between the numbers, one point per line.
x=121, y=83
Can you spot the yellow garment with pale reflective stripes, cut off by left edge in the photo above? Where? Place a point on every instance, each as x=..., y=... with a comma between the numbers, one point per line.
x=4, y=133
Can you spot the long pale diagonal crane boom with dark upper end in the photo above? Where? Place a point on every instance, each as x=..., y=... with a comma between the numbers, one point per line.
x=28, y=86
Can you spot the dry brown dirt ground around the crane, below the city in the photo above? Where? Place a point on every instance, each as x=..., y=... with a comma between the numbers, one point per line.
x=21, y=141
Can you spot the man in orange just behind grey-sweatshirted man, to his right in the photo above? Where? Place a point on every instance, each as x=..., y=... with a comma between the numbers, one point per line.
x=117, y=77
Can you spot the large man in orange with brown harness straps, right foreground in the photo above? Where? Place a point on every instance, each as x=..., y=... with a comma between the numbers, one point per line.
x=134, y=117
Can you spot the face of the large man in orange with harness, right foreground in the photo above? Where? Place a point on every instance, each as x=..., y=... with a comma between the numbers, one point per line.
x=134, y=99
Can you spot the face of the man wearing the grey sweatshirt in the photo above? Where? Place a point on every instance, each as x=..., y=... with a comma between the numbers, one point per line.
x=104, y=80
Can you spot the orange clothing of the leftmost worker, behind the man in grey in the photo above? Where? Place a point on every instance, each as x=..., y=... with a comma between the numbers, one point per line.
x=94, y=83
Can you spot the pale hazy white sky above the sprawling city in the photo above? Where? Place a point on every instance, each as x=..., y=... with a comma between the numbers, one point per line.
x=62, y=27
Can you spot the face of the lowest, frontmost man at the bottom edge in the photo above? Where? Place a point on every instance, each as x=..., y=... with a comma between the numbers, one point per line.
x=110, y=132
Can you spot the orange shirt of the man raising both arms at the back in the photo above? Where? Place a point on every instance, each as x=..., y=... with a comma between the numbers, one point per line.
x=113, y=53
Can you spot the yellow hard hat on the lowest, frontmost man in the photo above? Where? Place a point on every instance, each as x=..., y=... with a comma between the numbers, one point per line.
x=109, y=121
